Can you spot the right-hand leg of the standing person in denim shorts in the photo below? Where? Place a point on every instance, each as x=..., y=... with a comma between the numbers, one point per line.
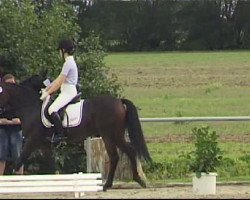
x=16, y=141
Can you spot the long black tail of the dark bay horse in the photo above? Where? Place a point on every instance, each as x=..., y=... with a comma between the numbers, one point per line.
x=135, y=131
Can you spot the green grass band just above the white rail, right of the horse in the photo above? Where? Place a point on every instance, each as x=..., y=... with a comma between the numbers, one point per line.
x=226, y=101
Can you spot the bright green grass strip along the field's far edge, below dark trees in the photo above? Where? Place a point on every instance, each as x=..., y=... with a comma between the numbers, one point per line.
x=179, y=59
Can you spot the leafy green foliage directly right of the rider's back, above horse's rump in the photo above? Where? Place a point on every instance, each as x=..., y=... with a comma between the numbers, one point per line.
x=94, y=74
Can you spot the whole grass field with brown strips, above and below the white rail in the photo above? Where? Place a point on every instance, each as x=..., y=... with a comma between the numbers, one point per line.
x=186, y=84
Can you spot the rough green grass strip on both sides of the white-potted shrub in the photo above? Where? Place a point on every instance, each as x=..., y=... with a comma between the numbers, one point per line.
x=169, y=165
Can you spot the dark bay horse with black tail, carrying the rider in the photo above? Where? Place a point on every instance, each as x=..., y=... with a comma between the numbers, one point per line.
x=105, y=116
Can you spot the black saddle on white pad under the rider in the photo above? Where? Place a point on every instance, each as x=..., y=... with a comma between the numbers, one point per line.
x=61, y=112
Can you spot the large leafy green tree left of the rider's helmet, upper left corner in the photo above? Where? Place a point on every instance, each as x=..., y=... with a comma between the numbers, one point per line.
x=29, y=39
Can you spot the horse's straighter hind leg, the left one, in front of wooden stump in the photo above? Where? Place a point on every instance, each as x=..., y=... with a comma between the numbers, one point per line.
x=113, y=160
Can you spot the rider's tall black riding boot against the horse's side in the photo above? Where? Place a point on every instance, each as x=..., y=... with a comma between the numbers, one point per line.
x=59, y=133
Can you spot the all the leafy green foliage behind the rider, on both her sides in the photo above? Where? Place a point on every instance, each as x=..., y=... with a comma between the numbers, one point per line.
x=29, y=35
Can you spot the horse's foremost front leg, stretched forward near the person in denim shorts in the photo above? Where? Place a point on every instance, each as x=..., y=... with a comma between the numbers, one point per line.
x=28, y=148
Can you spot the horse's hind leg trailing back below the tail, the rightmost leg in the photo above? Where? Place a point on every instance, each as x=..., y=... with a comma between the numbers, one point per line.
x=131, y=153
